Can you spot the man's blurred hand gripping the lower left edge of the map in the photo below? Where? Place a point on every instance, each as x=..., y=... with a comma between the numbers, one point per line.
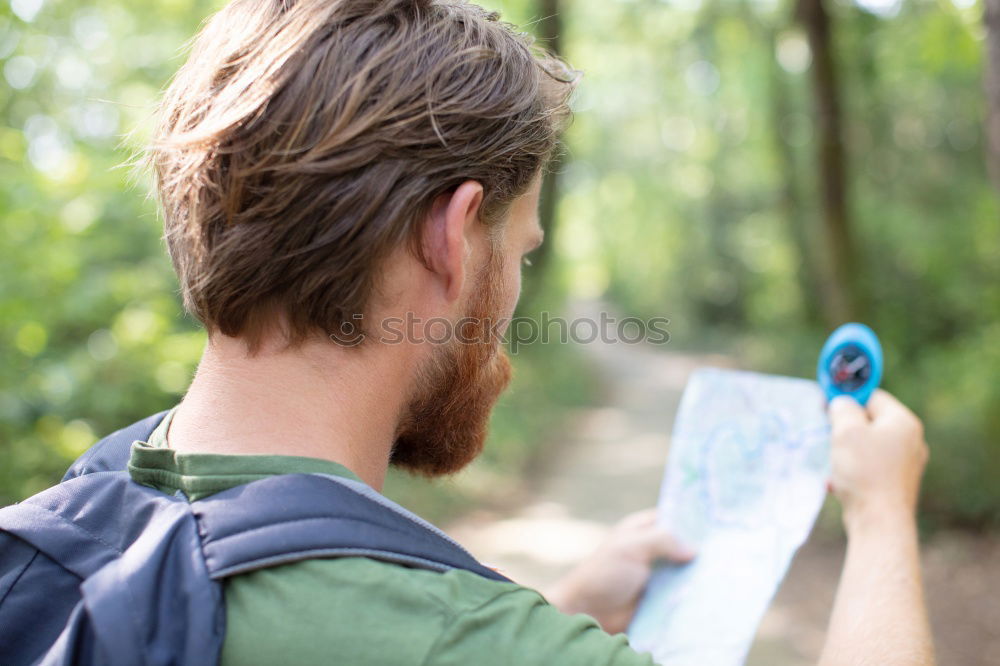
x=608, y=584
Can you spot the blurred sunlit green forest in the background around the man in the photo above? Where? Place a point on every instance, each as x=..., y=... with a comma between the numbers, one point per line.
x=757, y=171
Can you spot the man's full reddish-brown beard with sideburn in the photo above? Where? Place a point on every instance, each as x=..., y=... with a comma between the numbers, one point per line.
x=445, y=426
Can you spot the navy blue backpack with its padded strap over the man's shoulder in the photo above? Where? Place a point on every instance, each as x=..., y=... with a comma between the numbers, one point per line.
x=102, y=570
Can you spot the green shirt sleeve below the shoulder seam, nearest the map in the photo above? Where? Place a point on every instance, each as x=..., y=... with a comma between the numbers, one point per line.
x=520, y=627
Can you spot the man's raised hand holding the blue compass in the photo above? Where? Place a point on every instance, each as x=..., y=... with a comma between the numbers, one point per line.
x=878, y=456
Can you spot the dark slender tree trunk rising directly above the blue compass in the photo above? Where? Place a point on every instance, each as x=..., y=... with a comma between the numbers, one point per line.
x=832, y=162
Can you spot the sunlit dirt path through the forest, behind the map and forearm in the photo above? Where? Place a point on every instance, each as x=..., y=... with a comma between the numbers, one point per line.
x=610, y=463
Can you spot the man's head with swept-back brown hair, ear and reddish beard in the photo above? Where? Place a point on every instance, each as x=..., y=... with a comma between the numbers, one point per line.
x=324, y=162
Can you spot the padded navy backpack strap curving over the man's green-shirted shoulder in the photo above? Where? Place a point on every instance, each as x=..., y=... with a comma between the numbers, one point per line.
x=292, y=517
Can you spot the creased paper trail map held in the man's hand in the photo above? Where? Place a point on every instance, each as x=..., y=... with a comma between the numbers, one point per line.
x=745, y=479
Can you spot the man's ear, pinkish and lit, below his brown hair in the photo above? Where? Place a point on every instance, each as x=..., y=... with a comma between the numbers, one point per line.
x=447, y=235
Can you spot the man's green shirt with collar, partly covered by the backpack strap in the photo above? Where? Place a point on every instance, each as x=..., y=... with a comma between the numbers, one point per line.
x=359, y=611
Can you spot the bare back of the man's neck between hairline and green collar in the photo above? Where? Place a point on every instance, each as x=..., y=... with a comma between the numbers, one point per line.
x=319, y=400
